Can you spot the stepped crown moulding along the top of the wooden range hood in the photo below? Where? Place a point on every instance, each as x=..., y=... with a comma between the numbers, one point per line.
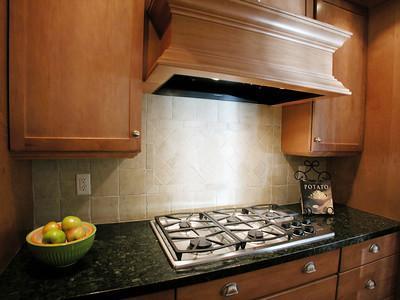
x=273, y=22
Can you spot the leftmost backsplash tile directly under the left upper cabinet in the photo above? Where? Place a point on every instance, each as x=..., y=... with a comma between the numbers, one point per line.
x=45, y=179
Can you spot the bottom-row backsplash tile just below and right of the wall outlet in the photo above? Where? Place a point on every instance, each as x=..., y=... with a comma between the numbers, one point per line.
x=104, y=209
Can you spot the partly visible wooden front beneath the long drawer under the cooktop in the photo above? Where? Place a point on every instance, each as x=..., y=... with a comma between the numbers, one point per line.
x=321, y=289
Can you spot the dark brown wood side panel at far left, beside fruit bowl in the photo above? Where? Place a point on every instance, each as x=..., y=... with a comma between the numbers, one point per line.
x=15, y=176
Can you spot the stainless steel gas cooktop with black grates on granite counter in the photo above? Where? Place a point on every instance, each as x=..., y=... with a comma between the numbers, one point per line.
x=190, y=239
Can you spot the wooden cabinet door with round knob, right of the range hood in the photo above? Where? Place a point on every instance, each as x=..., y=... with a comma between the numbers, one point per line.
x=338, y=122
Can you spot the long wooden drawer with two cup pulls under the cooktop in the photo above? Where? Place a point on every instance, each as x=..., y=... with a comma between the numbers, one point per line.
x=264, y=282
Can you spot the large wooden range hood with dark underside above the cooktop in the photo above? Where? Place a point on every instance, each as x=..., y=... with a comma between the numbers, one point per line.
x=238, y=50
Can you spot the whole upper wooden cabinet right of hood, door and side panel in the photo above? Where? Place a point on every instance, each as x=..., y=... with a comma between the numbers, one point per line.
x=333, y=126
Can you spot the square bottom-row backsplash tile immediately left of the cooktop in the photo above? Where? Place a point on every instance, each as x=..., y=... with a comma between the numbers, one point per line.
x=132, y=207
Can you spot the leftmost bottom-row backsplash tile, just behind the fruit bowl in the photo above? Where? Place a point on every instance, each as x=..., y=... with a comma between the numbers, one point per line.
x=46, y=209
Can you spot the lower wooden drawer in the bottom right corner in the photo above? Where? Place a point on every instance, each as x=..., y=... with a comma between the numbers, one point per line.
x=377, y=280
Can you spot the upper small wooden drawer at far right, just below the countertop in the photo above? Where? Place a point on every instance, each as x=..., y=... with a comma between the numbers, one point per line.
x=369, y=251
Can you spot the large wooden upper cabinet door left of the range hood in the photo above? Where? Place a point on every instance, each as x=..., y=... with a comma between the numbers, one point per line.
x=75, y=75
